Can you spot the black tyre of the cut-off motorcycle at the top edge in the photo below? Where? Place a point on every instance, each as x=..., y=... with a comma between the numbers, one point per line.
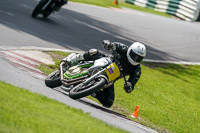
x=38, y=8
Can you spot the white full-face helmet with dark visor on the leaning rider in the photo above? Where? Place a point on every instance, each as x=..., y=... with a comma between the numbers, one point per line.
x=136, y=53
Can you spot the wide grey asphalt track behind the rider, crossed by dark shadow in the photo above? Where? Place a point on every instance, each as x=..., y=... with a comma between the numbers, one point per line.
x=79, y=26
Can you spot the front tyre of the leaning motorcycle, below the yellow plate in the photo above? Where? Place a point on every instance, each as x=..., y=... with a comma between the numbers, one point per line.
x=79, y=91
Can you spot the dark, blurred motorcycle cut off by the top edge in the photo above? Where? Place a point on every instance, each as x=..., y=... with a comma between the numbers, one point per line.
x=46, y=7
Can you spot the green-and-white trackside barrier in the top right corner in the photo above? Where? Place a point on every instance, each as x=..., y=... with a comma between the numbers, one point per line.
x=184, y=9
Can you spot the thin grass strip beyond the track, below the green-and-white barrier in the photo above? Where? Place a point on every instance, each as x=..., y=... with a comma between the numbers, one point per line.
x=109, y=3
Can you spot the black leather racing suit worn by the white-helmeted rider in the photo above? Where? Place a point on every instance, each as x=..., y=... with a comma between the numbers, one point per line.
x=106, y=96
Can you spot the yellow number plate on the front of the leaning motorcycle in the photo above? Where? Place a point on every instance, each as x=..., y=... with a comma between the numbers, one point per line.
x=112, y=71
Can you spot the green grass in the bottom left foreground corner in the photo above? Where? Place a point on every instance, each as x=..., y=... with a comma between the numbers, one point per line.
x=24, y=112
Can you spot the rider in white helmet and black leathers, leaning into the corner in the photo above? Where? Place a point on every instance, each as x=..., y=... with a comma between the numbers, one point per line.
x=130, y=58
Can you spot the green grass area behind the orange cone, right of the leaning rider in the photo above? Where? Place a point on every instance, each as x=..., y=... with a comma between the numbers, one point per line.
x=168, y=96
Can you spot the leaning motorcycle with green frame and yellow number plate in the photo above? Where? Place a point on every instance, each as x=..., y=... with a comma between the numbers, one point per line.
x=86, y=77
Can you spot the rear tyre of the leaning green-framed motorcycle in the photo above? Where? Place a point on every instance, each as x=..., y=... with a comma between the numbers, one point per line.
x=53, y=79
